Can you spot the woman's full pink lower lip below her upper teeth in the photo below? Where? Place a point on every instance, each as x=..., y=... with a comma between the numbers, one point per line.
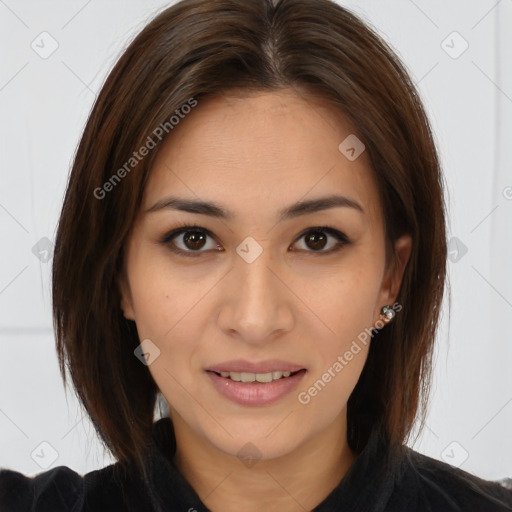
x=255, y=393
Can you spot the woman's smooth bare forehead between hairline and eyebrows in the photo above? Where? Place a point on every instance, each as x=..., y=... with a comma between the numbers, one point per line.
x=259, y=152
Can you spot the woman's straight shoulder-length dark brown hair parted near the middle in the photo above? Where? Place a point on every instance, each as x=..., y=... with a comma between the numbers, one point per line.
x=201, y=48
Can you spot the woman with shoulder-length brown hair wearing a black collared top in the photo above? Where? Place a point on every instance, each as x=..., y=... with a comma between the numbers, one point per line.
x=253, y=228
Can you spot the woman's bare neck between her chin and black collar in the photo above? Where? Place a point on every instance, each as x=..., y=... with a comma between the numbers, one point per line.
x=294, y=482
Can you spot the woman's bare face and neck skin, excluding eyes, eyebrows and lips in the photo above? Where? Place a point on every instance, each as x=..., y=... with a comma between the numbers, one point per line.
x=256, y=154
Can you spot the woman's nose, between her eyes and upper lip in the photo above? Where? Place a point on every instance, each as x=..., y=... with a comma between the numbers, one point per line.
x=257, y=304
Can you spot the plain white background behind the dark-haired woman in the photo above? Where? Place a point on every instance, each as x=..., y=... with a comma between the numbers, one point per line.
x=44, y=104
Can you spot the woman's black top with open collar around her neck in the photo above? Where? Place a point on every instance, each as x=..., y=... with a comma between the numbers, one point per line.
x=378, y=481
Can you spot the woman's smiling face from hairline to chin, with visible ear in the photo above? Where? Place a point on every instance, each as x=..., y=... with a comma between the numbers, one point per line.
x=274, y=292
